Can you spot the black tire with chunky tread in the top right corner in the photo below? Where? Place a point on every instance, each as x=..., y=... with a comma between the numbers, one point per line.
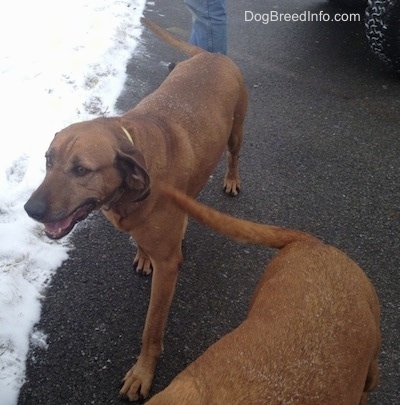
x=382, y=21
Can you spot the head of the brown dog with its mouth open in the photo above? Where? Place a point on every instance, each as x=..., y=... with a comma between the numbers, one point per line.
x=88, y=165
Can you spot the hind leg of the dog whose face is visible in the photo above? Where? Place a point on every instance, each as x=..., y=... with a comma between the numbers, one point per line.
x=232, y=181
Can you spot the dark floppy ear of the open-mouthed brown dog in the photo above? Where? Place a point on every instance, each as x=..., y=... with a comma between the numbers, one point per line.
x=132, y=168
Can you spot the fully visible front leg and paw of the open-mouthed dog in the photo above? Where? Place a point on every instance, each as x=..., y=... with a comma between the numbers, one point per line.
x=137, y=381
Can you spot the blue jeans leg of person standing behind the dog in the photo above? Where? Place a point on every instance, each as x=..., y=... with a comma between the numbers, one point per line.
x=209, y=24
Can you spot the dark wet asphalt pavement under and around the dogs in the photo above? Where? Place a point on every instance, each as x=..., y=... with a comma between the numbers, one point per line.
x=321, y=153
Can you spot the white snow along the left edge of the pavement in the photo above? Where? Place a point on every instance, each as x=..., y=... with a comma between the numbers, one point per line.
x=59, y=63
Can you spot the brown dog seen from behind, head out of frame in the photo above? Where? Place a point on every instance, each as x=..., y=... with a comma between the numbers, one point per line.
x=311, y=335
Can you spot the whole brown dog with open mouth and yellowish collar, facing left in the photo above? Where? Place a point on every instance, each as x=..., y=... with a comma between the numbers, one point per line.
x=174, y=136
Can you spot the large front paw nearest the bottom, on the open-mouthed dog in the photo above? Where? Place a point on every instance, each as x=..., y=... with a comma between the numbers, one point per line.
x=136, y=384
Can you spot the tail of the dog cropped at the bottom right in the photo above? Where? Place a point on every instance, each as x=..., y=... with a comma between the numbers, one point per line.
x=237, y=229
